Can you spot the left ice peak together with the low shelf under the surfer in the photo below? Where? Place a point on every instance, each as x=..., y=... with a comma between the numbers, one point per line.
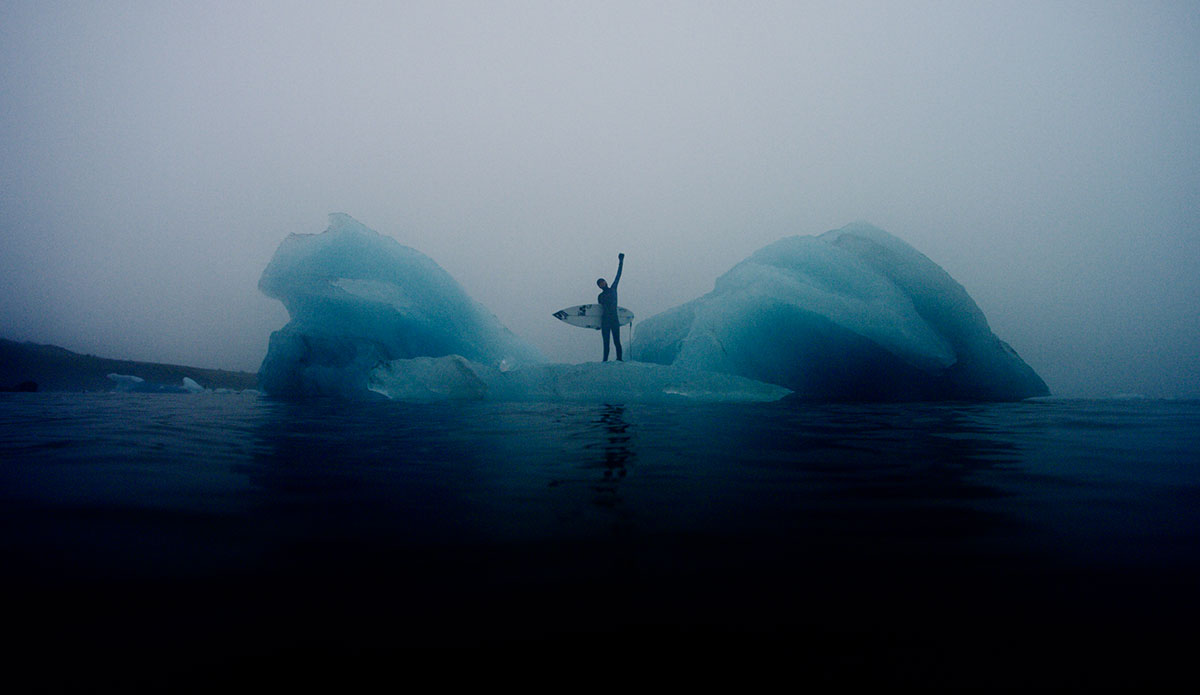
x=370, y=316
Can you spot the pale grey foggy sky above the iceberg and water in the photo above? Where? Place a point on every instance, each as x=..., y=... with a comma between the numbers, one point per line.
x=153, y=155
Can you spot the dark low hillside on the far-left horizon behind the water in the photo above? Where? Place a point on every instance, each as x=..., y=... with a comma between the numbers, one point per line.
x=27, y=367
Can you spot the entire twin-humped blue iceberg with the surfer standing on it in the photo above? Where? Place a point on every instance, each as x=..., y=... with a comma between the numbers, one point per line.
x=854, y=314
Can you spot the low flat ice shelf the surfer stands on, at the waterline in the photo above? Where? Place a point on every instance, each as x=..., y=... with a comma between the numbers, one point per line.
x=454, y=378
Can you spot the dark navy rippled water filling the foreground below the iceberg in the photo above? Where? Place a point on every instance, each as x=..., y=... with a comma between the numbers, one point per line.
x=170, y=542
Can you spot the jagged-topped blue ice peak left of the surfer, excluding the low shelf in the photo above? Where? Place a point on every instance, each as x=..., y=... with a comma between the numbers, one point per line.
x=357, y=301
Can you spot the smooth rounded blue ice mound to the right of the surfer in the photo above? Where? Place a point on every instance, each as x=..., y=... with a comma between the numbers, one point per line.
x=854, y=314
